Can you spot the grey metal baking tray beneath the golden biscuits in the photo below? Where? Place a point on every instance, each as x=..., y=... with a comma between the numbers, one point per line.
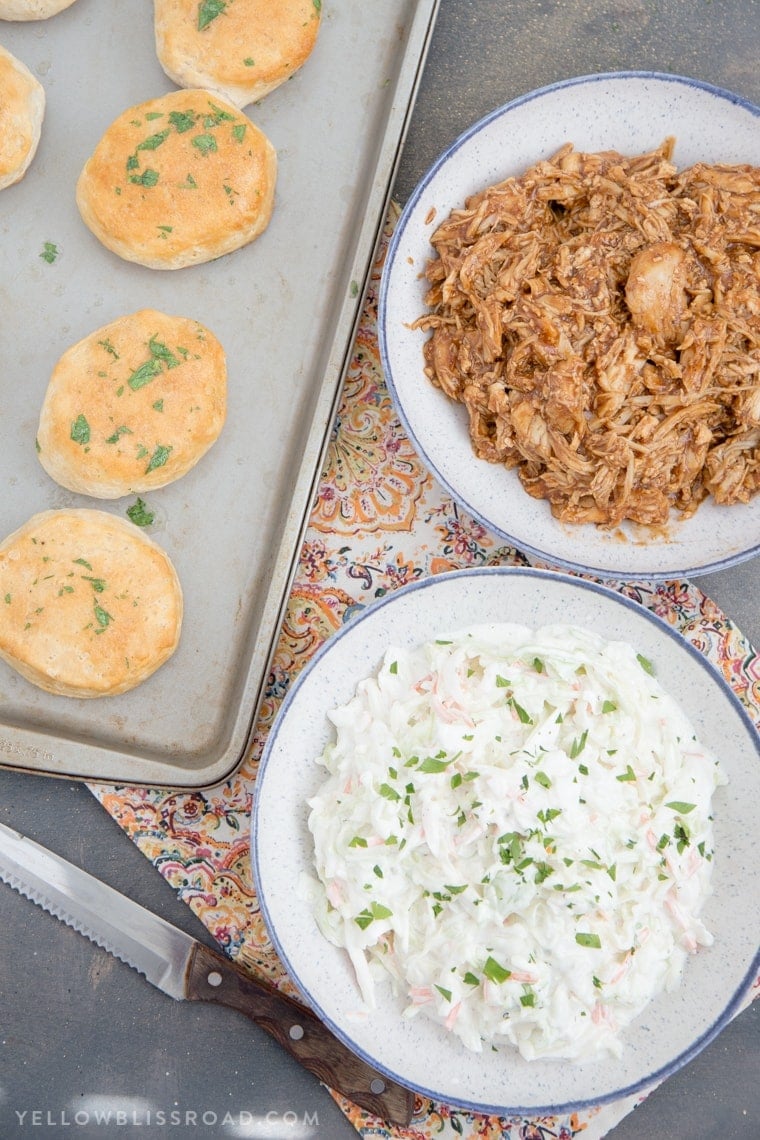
x=285, y=308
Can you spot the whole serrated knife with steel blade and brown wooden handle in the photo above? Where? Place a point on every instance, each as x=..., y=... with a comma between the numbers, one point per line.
x=187, y=971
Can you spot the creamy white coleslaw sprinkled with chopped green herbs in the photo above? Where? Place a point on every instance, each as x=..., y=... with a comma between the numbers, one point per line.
x=516, y=830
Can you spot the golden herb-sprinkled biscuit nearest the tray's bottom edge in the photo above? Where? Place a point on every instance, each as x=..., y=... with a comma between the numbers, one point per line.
x=91, y=605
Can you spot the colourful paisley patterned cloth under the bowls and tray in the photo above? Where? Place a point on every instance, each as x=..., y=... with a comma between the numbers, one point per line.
x=380, y=520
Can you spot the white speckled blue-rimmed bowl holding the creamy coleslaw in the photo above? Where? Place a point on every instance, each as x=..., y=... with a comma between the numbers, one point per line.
x=675, y=1027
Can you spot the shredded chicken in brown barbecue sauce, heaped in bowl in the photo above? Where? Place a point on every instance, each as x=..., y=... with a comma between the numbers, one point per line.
x=600, y=320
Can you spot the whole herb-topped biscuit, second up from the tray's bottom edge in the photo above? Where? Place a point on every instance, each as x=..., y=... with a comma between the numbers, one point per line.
x=133, y=406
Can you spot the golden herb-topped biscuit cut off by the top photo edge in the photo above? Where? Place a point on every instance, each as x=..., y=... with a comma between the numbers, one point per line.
x=243, y=48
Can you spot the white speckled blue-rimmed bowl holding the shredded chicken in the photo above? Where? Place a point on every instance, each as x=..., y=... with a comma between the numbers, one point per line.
x=631, y=112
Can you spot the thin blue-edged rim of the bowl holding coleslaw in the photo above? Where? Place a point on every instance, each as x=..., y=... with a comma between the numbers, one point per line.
x=551, y=1110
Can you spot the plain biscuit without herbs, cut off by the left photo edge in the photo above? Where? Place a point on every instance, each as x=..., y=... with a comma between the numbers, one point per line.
x=22, y=111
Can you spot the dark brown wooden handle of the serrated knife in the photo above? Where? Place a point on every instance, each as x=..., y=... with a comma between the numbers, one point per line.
x=214, y=978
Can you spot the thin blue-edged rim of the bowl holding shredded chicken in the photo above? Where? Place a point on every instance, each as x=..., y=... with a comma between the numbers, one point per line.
x=565, y=563
